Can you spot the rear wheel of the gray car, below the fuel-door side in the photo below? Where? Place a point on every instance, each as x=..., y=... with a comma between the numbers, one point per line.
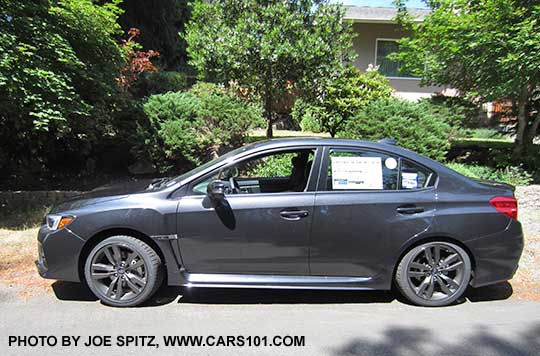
x=434, y=274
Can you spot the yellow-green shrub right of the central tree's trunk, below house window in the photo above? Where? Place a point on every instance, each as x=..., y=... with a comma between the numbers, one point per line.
x=342, y=95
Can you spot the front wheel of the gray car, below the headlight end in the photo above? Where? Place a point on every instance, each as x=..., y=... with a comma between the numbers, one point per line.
x=123, y=271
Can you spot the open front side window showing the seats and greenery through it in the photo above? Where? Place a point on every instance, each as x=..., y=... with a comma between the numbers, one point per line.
x=277, y=172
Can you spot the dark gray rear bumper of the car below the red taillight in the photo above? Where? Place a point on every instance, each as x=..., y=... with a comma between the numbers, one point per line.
x=497, y=256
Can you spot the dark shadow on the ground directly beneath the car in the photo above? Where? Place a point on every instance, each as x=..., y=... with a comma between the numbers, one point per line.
x=166, y=295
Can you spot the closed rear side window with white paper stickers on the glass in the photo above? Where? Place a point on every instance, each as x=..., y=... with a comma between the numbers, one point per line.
x=372, y=170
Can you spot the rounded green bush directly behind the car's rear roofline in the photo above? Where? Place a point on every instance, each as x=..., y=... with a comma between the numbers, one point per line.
x=414, y=126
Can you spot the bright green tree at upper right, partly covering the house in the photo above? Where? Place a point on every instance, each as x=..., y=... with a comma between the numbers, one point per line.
x=489, y=50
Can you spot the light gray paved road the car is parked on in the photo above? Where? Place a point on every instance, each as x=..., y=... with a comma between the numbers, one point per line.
x=333, y=323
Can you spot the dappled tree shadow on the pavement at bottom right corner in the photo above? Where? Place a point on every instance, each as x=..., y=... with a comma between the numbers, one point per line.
x=421, y=341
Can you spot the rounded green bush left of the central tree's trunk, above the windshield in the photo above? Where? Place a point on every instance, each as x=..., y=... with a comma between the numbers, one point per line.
x=187, y=127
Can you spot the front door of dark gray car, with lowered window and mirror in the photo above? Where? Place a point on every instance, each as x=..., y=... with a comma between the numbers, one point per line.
x=257, y=230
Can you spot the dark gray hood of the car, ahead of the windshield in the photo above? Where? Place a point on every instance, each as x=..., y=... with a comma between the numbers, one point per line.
x=103, y=194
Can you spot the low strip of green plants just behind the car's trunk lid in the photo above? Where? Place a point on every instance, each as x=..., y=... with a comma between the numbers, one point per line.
x=512, y=175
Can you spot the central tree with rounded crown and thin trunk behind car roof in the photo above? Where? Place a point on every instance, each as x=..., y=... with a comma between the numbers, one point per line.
x=271, y=47
